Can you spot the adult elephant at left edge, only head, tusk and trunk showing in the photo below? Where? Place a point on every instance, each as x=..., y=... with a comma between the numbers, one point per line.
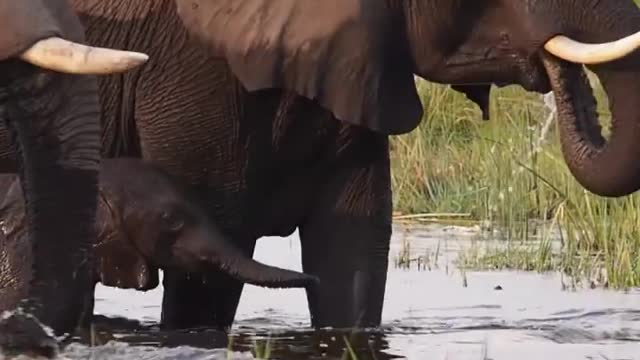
x=51, y=109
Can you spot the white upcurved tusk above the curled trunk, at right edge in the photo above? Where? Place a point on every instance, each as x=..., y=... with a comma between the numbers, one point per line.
x=591, y=54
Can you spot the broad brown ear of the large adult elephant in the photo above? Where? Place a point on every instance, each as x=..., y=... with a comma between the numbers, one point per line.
x=348, y=55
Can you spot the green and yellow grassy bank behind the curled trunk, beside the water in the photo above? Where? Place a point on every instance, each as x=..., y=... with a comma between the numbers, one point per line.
x=509, y=172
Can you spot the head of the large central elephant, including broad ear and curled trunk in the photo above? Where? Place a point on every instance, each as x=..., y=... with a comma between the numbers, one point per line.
x=357, y=57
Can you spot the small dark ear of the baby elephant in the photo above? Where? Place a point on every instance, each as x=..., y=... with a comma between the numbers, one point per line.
x=118, y=262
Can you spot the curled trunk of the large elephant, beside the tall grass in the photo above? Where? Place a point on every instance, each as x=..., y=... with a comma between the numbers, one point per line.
x=606, y=168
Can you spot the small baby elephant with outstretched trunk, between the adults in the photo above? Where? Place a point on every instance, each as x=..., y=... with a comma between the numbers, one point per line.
x=145, y=221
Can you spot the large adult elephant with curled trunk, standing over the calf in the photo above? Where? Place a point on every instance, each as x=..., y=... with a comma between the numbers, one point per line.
x=278, y=113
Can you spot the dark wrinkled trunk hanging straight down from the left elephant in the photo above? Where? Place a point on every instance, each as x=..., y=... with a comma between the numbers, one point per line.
x=57, y=167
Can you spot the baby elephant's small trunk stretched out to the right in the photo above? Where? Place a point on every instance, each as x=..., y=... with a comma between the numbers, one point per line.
x=216, y=251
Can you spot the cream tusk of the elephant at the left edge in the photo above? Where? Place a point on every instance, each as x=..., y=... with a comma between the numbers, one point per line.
x=68, y=57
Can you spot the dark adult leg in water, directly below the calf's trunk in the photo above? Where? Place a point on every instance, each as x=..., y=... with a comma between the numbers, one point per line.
x=201, y=300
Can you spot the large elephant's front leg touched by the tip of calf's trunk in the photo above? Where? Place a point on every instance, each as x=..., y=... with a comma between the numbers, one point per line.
x=345, y=242
